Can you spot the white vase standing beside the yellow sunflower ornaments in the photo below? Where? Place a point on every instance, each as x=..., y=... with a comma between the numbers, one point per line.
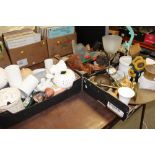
x=124, y=63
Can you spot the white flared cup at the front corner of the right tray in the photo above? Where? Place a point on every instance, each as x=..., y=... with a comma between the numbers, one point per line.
x=125, y=94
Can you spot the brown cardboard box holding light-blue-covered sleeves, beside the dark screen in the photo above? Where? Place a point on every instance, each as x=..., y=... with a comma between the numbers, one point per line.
x=61, y=46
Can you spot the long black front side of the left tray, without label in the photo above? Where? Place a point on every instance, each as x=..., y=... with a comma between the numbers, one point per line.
x=8, y=119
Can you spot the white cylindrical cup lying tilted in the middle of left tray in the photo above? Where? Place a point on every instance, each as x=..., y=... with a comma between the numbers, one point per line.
x=29, y=84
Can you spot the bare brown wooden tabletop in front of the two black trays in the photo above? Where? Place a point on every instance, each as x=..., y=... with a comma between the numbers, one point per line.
x=79, y=111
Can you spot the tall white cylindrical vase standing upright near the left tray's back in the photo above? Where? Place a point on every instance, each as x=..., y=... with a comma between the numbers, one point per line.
x=13, y=75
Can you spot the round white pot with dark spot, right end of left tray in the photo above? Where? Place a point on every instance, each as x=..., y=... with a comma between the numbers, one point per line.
x=65, y=79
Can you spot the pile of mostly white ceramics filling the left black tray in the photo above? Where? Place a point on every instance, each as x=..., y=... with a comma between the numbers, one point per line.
x=39, y=85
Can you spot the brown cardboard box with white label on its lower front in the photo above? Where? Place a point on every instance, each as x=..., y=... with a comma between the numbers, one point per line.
x=30, y=54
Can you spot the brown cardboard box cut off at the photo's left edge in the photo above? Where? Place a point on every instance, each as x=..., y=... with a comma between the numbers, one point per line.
x=4, y=59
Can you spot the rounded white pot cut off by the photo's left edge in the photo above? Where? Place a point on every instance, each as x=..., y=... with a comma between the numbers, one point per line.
x=3, y=78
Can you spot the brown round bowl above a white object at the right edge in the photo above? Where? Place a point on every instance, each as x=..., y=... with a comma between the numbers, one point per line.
x=149, y=72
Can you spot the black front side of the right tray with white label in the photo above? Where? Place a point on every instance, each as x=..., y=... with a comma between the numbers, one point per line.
x=112, y=103
